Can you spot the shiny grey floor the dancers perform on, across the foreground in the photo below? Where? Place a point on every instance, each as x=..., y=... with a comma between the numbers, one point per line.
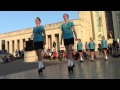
x=99, y=69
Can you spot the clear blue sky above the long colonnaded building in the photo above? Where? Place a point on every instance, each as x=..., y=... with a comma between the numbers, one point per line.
x=17, y=20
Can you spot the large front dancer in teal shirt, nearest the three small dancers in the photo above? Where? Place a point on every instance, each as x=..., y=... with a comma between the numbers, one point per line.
x=67, y=34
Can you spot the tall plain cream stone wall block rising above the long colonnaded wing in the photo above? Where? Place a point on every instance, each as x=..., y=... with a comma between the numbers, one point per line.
x=86, y=25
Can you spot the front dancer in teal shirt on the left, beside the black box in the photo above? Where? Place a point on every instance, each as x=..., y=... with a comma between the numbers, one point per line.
x=39, y=42
